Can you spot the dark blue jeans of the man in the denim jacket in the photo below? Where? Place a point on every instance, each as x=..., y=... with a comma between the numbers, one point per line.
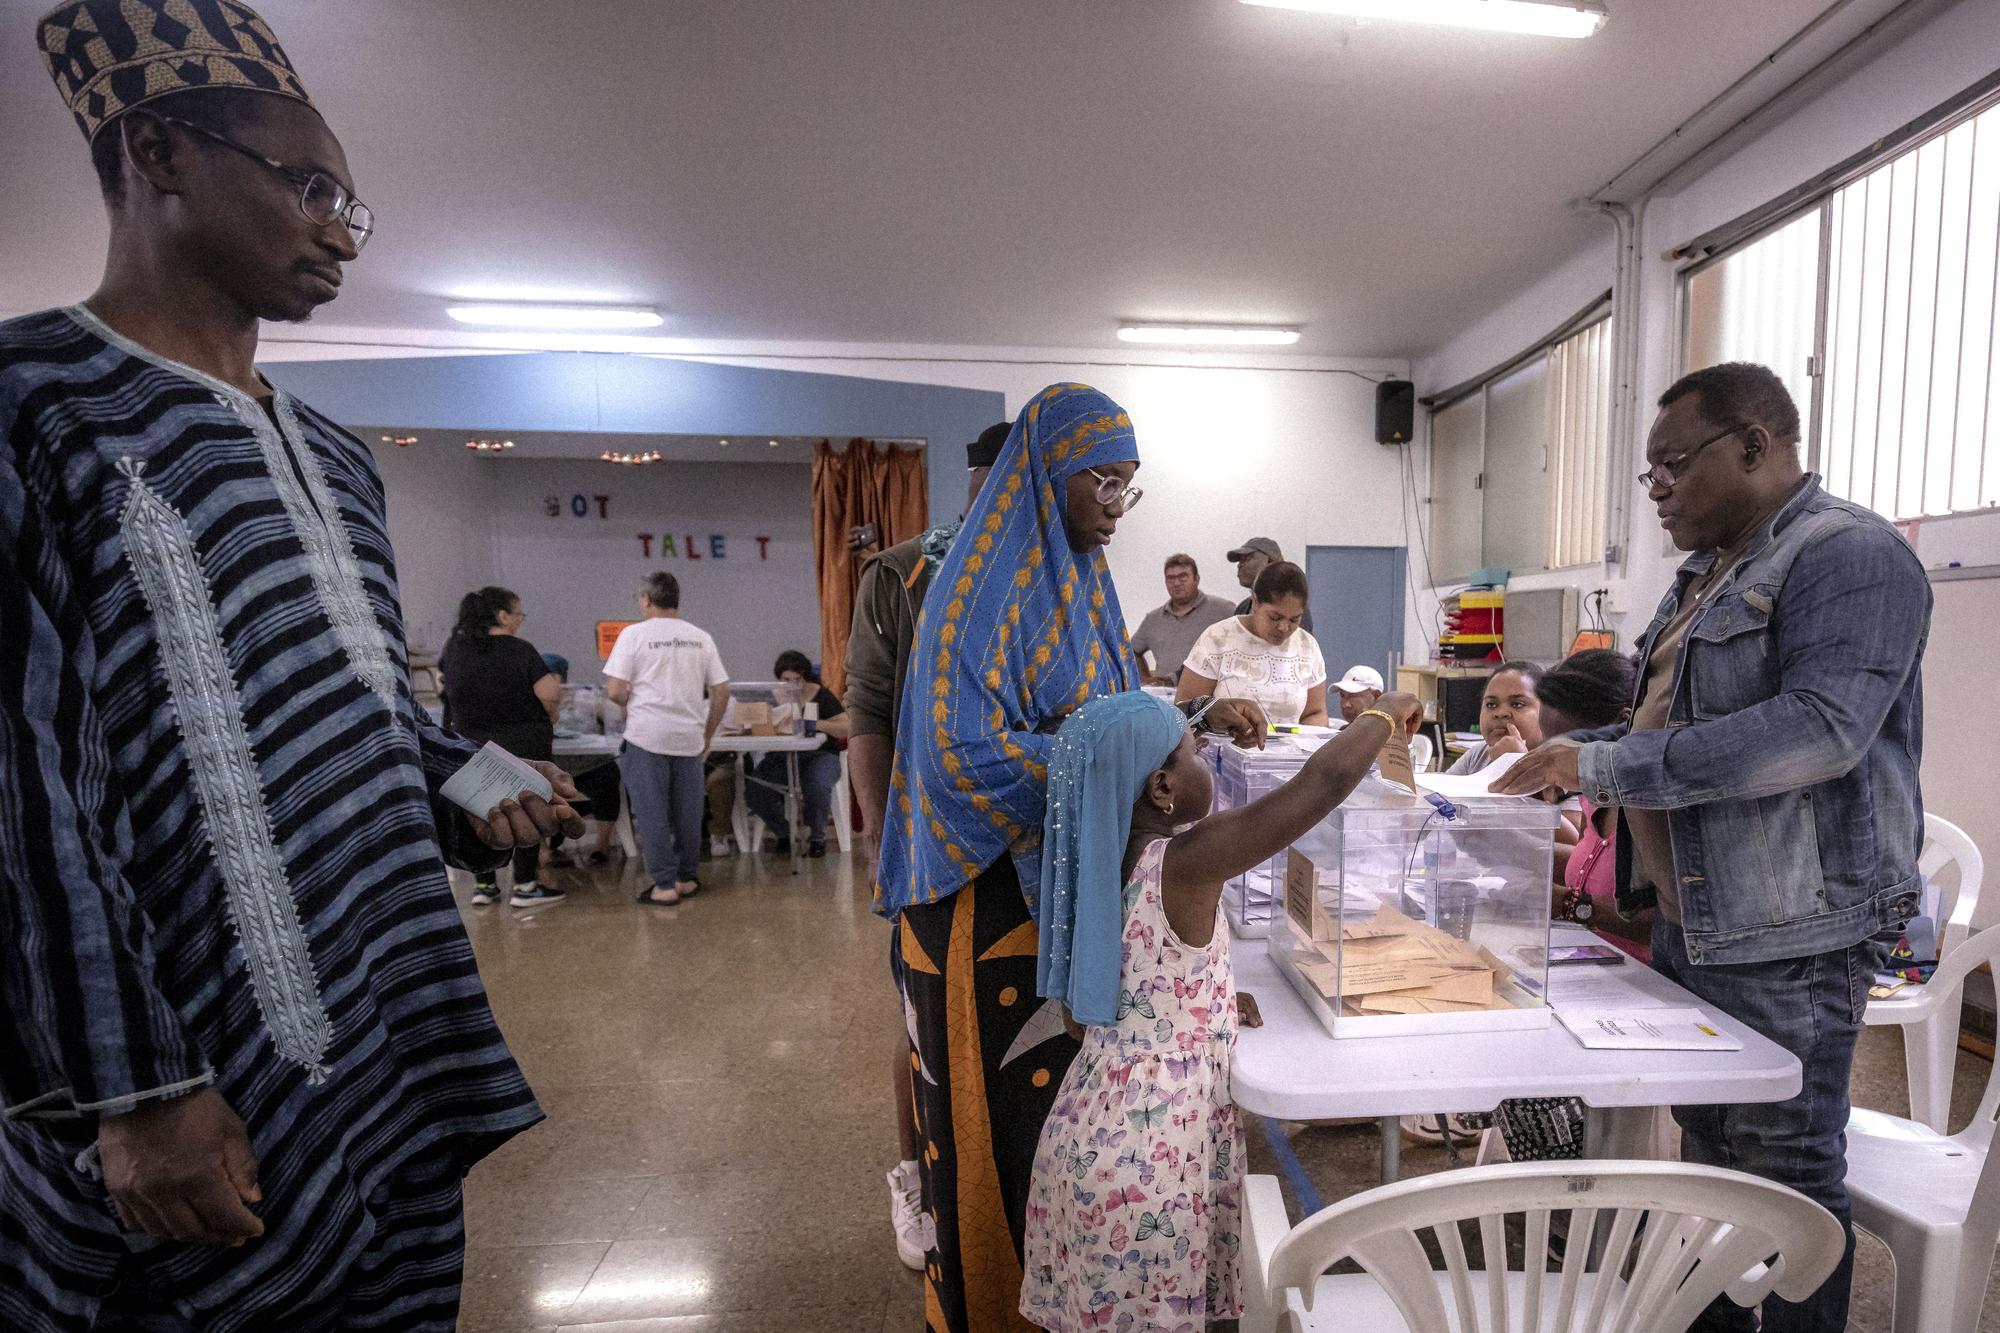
x=1813, y=1008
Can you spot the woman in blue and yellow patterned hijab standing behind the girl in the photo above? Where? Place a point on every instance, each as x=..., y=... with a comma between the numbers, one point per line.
x=1019, y=629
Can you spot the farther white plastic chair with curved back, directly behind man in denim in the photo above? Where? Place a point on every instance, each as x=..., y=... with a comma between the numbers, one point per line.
x=1929, y=1018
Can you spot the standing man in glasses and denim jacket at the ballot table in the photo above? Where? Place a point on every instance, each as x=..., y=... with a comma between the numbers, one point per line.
x=1769, y=778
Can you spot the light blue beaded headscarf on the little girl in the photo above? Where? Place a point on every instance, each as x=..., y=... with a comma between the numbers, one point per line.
x=1097, y=772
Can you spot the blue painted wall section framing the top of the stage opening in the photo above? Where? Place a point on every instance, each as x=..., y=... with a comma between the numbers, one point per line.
x=647, y=395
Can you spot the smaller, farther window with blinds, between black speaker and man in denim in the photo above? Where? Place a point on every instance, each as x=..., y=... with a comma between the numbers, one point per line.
x=1521, y=461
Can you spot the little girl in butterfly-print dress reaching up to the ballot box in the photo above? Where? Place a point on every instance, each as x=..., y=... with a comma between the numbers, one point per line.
x=1135, y=1206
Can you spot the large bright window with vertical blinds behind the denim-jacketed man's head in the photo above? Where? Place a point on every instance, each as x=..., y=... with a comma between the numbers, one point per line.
x=1879, y=307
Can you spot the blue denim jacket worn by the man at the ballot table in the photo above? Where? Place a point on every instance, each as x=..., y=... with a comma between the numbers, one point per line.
x=1791, y=754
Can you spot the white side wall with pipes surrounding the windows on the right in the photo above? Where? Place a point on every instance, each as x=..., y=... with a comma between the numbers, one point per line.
x=1917, y=73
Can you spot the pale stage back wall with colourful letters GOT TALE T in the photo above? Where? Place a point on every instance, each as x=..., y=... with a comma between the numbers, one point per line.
x=461, y=521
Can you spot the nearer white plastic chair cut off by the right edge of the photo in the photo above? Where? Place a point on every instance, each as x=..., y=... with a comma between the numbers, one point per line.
x=1933, y=1200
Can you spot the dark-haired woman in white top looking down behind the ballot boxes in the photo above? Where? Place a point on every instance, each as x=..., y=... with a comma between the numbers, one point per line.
x=1265, y=655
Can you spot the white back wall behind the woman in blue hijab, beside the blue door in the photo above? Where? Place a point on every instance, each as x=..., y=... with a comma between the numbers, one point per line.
x=1225, y=455
